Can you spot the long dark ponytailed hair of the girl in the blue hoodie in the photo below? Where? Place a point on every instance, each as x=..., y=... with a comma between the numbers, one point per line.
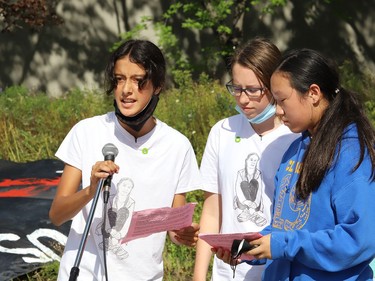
x=303, y=68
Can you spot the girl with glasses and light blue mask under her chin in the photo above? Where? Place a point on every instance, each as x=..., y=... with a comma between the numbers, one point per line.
x=241, y=157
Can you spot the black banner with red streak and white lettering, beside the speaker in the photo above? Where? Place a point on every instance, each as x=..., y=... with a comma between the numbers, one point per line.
x=28, y=240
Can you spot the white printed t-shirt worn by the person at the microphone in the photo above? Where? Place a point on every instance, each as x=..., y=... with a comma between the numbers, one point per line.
x=153, y=168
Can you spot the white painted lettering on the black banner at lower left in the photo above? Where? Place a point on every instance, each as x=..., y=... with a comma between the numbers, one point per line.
x=43, y=255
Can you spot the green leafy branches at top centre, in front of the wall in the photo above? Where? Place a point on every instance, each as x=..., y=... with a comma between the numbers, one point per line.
x=216, y=19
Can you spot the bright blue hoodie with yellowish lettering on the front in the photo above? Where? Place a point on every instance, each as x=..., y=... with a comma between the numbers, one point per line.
x=331, y=234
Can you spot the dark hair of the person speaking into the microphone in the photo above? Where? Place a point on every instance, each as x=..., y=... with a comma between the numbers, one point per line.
x=143, y=53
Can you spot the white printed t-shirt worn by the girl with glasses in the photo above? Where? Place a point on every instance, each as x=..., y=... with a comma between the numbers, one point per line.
x=240, y=165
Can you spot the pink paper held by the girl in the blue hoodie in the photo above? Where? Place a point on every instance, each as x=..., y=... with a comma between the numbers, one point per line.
x=225, y=240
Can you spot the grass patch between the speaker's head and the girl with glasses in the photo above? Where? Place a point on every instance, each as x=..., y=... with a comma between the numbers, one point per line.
x=194, y=108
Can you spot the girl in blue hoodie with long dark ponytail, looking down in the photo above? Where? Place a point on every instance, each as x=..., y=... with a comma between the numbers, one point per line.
x=323, y=225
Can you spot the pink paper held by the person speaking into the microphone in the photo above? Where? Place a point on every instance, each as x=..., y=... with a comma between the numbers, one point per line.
x=150, y=221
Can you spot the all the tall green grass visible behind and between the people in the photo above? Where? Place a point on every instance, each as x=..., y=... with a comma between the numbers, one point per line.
x=33, y=125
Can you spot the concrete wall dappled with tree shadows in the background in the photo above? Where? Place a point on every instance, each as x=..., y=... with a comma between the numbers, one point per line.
x=74, y=54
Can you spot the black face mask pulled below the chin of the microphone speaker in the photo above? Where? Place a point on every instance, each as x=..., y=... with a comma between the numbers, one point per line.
x=136, y=122
